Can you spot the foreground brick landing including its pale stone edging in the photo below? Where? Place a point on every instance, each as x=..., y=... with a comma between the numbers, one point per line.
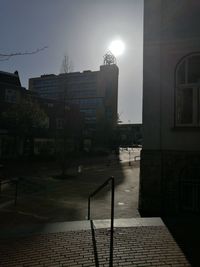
x=138, y=242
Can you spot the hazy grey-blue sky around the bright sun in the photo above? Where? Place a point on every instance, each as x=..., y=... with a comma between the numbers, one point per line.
x=81, y=29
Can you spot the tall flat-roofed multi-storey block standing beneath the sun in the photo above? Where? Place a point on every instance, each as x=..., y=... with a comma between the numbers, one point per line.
x=94, y=92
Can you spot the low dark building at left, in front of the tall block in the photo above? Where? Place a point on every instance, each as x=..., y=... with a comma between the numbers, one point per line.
x=23, y=133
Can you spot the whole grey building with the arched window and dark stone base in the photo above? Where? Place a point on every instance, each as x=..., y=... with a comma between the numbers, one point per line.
x=170, y=169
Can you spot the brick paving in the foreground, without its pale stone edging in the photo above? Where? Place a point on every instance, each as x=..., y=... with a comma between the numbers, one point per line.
x=133, y=246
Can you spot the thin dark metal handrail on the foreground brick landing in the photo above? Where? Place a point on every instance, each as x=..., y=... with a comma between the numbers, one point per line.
x=111, y=181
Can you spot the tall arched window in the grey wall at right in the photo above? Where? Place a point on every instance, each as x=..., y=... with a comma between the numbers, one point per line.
x=187, y=106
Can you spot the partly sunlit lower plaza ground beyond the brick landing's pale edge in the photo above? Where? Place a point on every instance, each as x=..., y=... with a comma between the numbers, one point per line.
x=42, y=198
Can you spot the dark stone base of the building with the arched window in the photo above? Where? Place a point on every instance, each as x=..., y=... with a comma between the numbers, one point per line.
x=170, y=182
